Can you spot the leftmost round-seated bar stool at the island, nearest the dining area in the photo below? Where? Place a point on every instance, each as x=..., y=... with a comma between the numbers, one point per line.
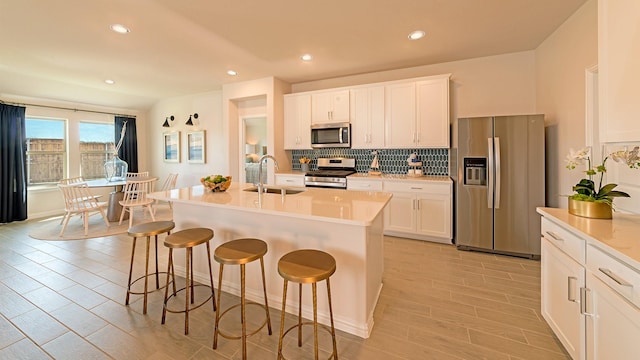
x=147, y=229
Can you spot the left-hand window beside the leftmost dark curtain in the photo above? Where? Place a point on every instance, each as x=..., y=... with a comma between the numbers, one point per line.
x=46, y=151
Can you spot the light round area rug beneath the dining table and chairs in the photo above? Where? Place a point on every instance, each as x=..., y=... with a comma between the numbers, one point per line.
x=50, y=227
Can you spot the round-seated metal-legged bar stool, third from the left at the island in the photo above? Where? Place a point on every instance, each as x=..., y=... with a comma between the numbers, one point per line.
x=240, y=252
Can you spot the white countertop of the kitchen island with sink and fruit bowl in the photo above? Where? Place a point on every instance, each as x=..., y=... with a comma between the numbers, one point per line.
x=340, y=206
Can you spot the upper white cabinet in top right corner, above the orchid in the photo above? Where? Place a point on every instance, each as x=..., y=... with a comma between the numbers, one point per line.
x=618, y=47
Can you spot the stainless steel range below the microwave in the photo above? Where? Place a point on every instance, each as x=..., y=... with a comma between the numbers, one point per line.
x=331, y=173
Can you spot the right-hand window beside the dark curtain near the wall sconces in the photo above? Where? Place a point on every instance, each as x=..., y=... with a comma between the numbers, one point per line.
x=96, y=147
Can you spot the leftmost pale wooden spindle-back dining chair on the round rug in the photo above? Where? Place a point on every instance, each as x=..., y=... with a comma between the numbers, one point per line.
x=79, y=200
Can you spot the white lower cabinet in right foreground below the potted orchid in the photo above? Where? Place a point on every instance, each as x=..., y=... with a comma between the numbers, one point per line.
x=590, y=297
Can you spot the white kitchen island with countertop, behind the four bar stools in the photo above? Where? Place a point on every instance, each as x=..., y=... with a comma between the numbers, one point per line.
x=346, y=224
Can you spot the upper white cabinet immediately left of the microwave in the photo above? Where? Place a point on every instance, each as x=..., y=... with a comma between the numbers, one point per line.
x=297, y=121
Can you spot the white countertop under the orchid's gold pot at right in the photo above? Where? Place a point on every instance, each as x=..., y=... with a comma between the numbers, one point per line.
x=620, y=235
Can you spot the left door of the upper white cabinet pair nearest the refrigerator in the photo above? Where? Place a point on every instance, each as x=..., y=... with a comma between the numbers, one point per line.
x=400, y=115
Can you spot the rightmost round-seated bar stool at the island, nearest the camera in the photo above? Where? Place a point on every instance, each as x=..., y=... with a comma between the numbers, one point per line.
x=307, y=267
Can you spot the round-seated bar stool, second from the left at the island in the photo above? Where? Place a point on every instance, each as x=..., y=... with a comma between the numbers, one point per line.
x=187, y=239
